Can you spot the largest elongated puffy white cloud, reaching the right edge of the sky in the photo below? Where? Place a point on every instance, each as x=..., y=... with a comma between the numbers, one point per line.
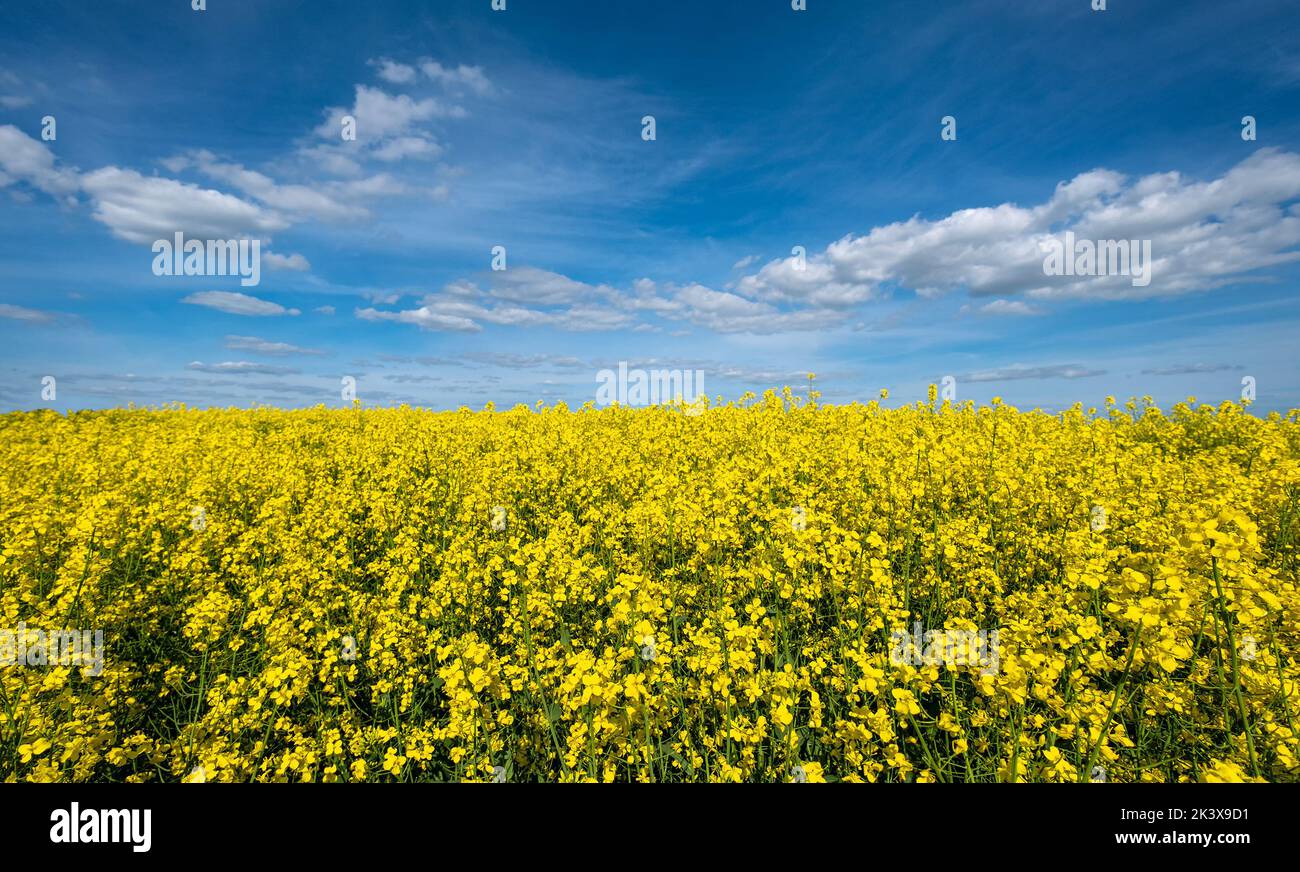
x=1203, y=235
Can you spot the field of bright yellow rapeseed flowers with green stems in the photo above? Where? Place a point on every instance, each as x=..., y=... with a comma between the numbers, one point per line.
x=656, y=595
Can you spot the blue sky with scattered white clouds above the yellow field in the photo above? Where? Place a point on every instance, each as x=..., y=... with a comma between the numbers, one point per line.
x=774, y=129
